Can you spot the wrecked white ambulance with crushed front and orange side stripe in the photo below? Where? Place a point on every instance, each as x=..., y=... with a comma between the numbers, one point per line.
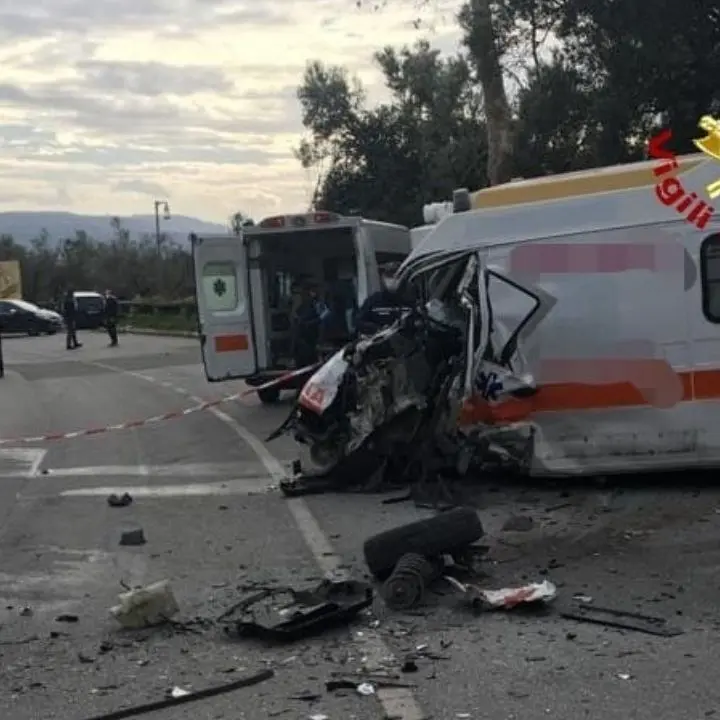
x=569, y=325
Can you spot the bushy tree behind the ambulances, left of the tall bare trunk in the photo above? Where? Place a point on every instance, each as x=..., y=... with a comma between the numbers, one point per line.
x=386, y=162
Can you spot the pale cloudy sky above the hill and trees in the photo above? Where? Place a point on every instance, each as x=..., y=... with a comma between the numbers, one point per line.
x=107, y=105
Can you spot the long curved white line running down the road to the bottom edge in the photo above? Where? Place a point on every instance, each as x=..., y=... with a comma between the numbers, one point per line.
x=398, y=703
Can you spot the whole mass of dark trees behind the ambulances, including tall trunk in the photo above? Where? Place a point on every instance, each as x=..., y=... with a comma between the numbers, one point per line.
x=542, y=86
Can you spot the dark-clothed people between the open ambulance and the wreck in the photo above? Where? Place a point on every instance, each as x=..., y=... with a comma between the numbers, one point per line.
x=312, y=318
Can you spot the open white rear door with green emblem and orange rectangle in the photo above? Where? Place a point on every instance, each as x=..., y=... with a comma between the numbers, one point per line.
x=227, y=335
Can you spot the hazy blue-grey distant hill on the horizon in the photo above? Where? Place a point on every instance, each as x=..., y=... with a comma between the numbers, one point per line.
x=24, y=226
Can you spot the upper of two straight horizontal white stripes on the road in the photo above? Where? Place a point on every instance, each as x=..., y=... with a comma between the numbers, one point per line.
x=229, y=470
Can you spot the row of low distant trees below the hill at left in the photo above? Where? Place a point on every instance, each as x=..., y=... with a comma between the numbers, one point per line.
x=130, y=267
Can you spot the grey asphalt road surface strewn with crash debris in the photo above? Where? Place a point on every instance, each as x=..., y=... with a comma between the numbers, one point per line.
x=215, y=528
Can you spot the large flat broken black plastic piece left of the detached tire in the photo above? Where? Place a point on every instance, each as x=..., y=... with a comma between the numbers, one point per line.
x=284, y=614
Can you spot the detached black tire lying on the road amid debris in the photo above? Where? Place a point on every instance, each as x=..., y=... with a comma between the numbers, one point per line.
x=443, y=534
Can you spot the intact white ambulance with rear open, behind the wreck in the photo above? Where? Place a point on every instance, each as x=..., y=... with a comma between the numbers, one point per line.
x=246, y=287
